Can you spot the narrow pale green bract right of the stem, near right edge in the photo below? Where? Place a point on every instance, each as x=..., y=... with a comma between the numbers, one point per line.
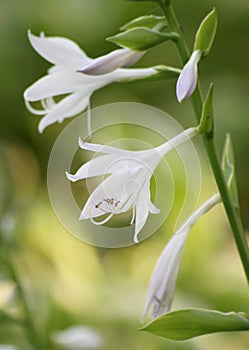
x=228, y=168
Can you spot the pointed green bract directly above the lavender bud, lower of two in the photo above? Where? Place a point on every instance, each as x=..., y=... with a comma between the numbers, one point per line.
x=141, y=38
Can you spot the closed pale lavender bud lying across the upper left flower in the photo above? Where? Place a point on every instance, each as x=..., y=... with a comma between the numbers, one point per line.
x=111, y=61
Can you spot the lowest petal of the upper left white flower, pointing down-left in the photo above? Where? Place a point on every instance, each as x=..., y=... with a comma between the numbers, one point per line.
x=66, y=108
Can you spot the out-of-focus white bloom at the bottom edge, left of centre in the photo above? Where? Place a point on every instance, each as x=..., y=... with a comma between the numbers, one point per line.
x=78, y=337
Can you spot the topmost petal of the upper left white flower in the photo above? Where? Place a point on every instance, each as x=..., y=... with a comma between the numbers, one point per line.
x=59, y=51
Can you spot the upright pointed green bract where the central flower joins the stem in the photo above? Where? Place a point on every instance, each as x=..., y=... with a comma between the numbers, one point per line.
x=207, y=117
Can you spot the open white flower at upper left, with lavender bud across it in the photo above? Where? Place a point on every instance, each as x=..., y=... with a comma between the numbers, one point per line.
x=68, y=77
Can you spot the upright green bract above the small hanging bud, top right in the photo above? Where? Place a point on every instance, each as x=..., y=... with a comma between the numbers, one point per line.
x=206, y=33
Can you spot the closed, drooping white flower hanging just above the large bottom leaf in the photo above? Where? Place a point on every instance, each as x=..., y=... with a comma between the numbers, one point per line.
x=163, y=281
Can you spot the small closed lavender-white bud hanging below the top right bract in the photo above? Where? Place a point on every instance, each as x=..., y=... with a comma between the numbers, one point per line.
x=187, y=80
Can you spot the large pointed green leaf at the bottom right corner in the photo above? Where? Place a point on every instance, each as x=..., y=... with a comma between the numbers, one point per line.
x=189, y=323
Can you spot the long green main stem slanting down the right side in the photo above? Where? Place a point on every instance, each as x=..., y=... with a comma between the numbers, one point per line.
x=197, y=101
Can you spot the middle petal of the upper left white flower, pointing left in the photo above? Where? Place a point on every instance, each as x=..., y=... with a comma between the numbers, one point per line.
x=59, y=83
